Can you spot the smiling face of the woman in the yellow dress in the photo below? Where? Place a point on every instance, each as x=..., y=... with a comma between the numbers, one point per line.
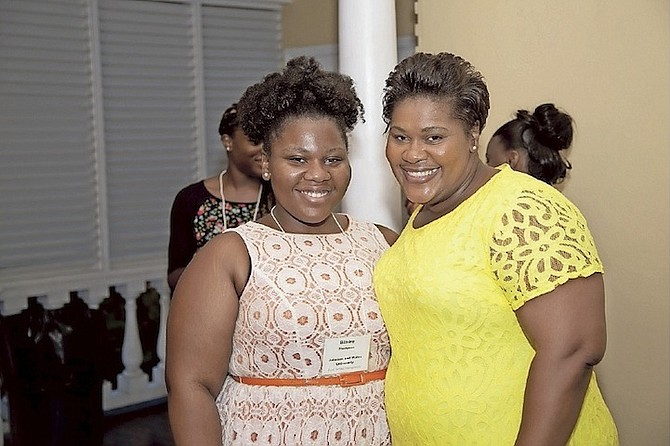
x=430, y=152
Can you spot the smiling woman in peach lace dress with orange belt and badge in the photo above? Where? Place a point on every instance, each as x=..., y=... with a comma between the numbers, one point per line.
x=286, y=345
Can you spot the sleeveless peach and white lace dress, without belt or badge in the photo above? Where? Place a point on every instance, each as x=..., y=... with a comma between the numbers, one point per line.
x=302, y=290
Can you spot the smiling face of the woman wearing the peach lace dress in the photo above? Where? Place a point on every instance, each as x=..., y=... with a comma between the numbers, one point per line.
x=310, y=172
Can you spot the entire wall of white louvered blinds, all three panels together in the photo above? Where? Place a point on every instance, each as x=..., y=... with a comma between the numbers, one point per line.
x=167, y=71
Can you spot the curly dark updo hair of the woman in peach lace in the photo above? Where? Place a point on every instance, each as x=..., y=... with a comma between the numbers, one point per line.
x=301, y=89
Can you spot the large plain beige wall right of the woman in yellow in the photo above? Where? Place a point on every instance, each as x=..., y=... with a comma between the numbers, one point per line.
x=607, y=64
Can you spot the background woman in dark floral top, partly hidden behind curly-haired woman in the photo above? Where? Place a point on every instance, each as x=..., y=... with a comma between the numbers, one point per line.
x=198, y=213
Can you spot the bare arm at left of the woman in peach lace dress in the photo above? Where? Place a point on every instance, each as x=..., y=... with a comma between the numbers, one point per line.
x=200, y=329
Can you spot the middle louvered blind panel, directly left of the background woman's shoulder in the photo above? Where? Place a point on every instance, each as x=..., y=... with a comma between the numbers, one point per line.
x=148, y=84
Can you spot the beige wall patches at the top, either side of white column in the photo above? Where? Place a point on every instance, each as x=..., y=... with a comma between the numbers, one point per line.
x=314, y=22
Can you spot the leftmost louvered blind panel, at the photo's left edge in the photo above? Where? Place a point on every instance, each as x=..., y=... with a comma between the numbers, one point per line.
x=48, y=210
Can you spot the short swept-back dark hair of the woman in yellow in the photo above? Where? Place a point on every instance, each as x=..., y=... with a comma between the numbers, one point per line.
x=439, y=76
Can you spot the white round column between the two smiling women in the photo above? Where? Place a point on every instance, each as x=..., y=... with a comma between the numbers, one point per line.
x=367, y=53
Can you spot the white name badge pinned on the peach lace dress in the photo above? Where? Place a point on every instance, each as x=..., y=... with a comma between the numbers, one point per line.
x=346, y=354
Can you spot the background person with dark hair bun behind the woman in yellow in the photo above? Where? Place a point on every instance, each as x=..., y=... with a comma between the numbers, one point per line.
x=531, y=143
